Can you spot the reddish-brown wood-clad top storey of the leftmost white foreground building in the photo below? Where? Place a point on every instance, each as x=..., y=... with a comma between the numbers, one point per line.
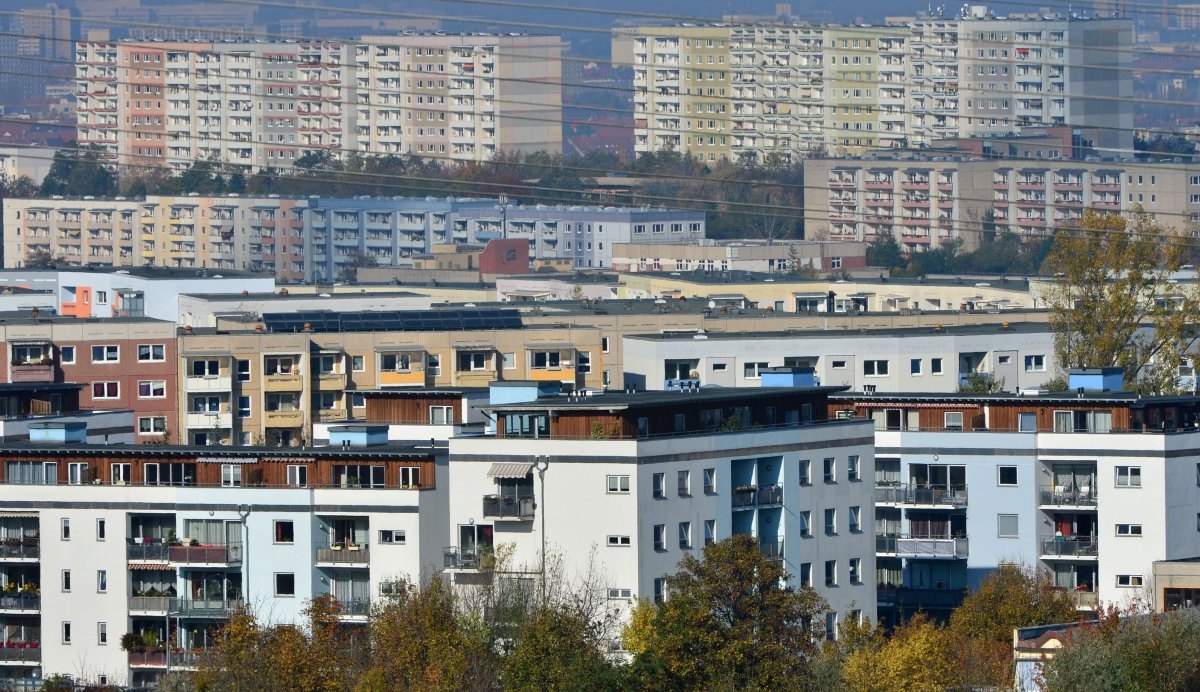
x=206, y=470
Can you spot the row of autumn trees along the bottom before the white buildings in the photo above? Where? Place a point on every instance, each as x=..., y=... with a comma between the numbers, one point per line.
x=730, y=623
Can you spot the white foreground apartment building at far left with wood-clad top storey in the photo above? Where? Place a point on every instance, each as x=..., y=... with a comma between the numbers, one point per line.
x=205, y=531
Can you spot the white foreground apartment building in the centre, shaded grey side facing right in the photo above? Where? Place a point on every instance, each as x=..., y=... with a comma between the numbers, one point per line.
x=637, y=482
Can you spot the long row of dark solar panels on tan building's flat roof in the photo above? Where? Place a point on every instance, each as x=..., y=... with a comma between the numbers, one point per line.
x=394, y=321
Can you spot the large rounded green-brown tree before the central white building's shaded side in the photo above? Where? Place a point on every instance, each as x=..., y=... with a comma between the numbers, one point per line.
x=733, y=622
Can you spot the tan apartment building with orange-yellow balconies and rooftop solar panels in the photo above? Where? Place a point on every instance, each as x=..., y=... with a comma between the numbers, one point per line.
x=272, y=381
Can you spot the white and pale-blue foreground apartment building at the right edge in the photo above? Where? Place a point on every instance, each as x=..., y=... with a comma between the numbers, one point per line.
x=1093, y=486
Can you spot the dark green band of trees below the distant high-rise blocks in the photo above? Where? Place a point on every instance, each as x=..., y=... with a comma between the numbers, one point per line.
x=761, y=202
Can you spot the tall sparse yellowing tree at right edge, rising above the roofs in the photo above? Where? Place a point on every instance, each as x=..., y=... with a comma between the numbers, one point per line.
x=1113, y=304
